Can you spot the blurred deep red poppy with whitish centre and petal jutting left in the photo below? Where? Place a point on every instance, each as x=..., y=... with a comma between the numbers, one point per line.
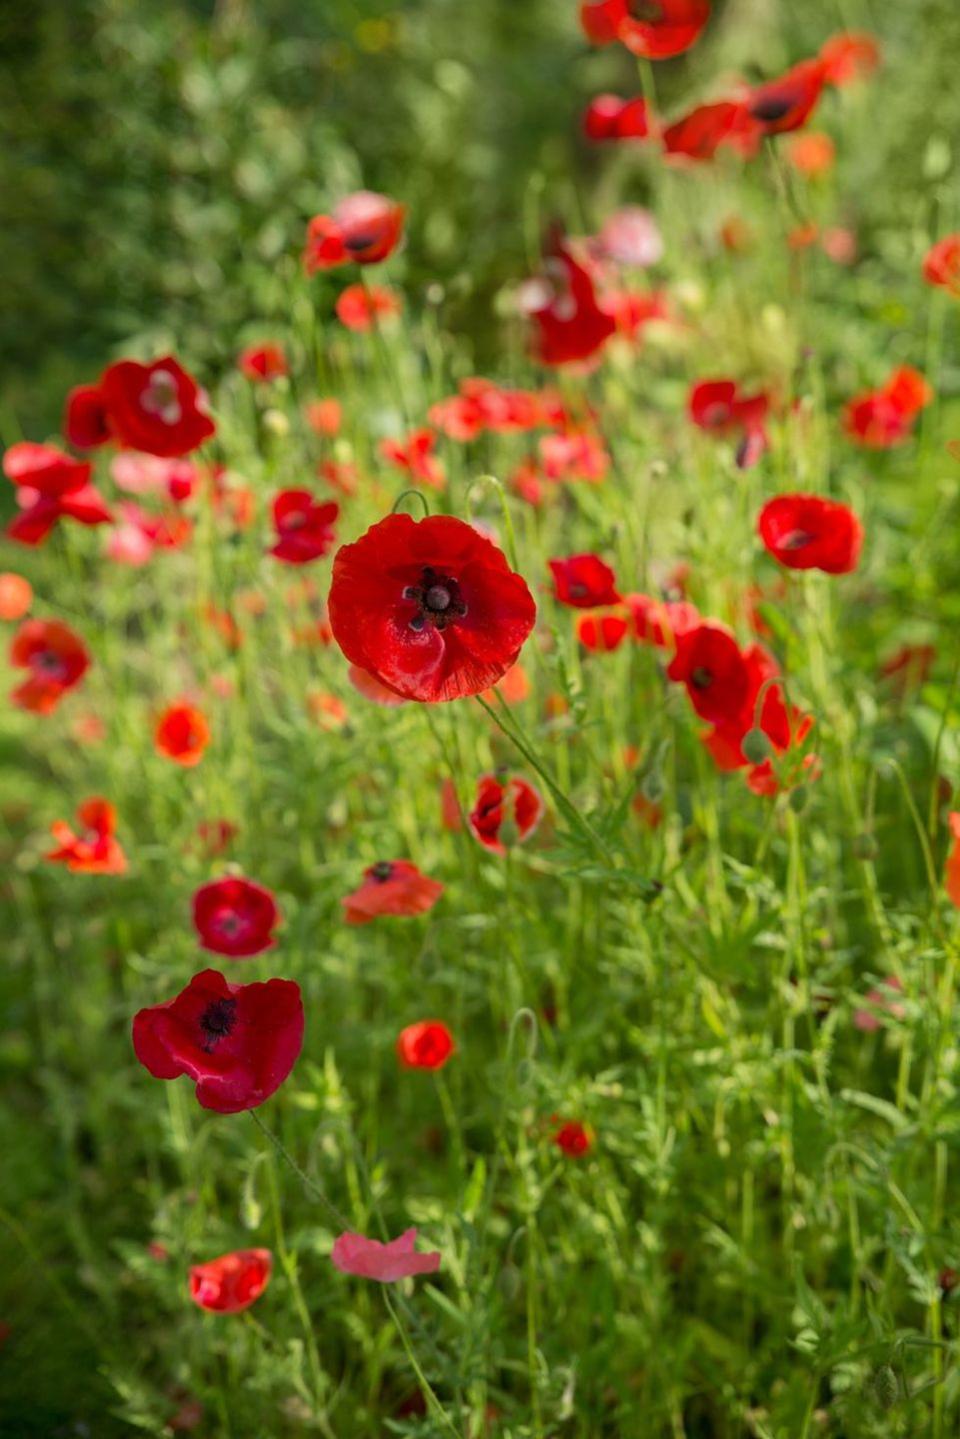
x=153, y=408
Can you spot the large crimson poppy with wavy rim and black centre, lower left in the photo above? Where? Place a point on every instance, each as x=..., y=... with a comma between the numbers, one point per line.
x=237, y=1041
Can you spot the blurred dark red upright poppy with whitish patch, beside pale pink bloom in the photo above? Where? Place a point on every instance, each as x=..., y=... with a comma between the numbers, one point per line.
x=572, y=326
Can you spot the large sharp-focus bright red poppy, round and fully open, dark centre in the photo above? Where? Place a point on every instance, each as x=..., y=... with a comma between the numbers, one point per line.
x=430, y=608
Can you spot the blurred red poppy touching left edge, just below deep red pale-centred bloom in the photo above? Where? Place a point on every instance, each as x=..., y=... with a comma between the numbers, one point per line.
x=50, y=487
